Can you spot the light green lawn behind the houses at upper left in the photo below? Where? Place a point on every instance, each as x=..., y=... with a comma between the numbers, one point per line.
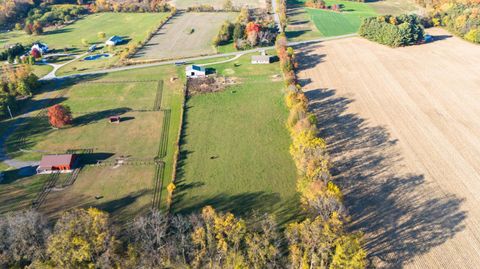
x=132, y=26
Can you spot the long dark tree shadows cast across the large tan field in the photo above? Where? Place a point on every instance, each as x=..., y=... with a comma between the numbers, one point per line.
x=402, y=215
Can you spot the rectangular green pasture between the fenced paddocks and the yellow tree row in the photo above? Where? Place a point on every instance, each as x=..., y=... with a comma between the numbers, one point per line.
x=234, y=152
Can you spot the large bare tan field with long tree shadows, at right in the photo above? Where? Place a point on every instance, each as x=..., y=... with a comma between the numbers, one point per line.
x=403, y=127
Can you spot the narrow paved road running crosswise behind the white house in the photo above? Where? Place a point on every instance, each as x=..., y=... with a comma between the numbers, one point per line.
x=193, y=59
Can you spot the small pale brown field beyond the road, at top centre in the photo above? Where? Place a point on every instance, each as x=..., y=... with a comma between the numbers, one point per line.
x=176, y=39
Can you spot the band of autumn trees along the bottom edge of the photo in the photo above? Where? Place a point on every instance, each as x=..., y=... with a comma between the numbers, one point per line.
x=86, y=238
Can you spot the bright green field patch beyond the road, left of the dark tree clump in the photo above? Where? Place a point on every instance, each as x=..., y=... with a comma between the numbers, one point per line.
x=331, y=23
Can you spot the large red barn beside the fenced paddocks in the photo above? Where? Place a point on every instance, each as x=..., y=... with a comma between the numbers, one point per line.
x=62, y=163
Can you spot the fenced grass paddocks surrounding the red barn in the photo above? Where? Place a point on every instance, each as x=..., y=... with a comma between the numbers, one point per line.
x=142, y=136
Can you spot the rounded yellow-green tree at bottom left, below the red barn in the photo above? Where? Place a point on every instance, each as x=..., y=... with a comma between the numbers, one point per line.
x=82, y=238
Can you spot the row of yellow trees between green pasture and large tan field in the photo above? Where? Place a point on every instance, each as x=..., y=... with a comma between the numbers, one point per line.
x=322, y=199
